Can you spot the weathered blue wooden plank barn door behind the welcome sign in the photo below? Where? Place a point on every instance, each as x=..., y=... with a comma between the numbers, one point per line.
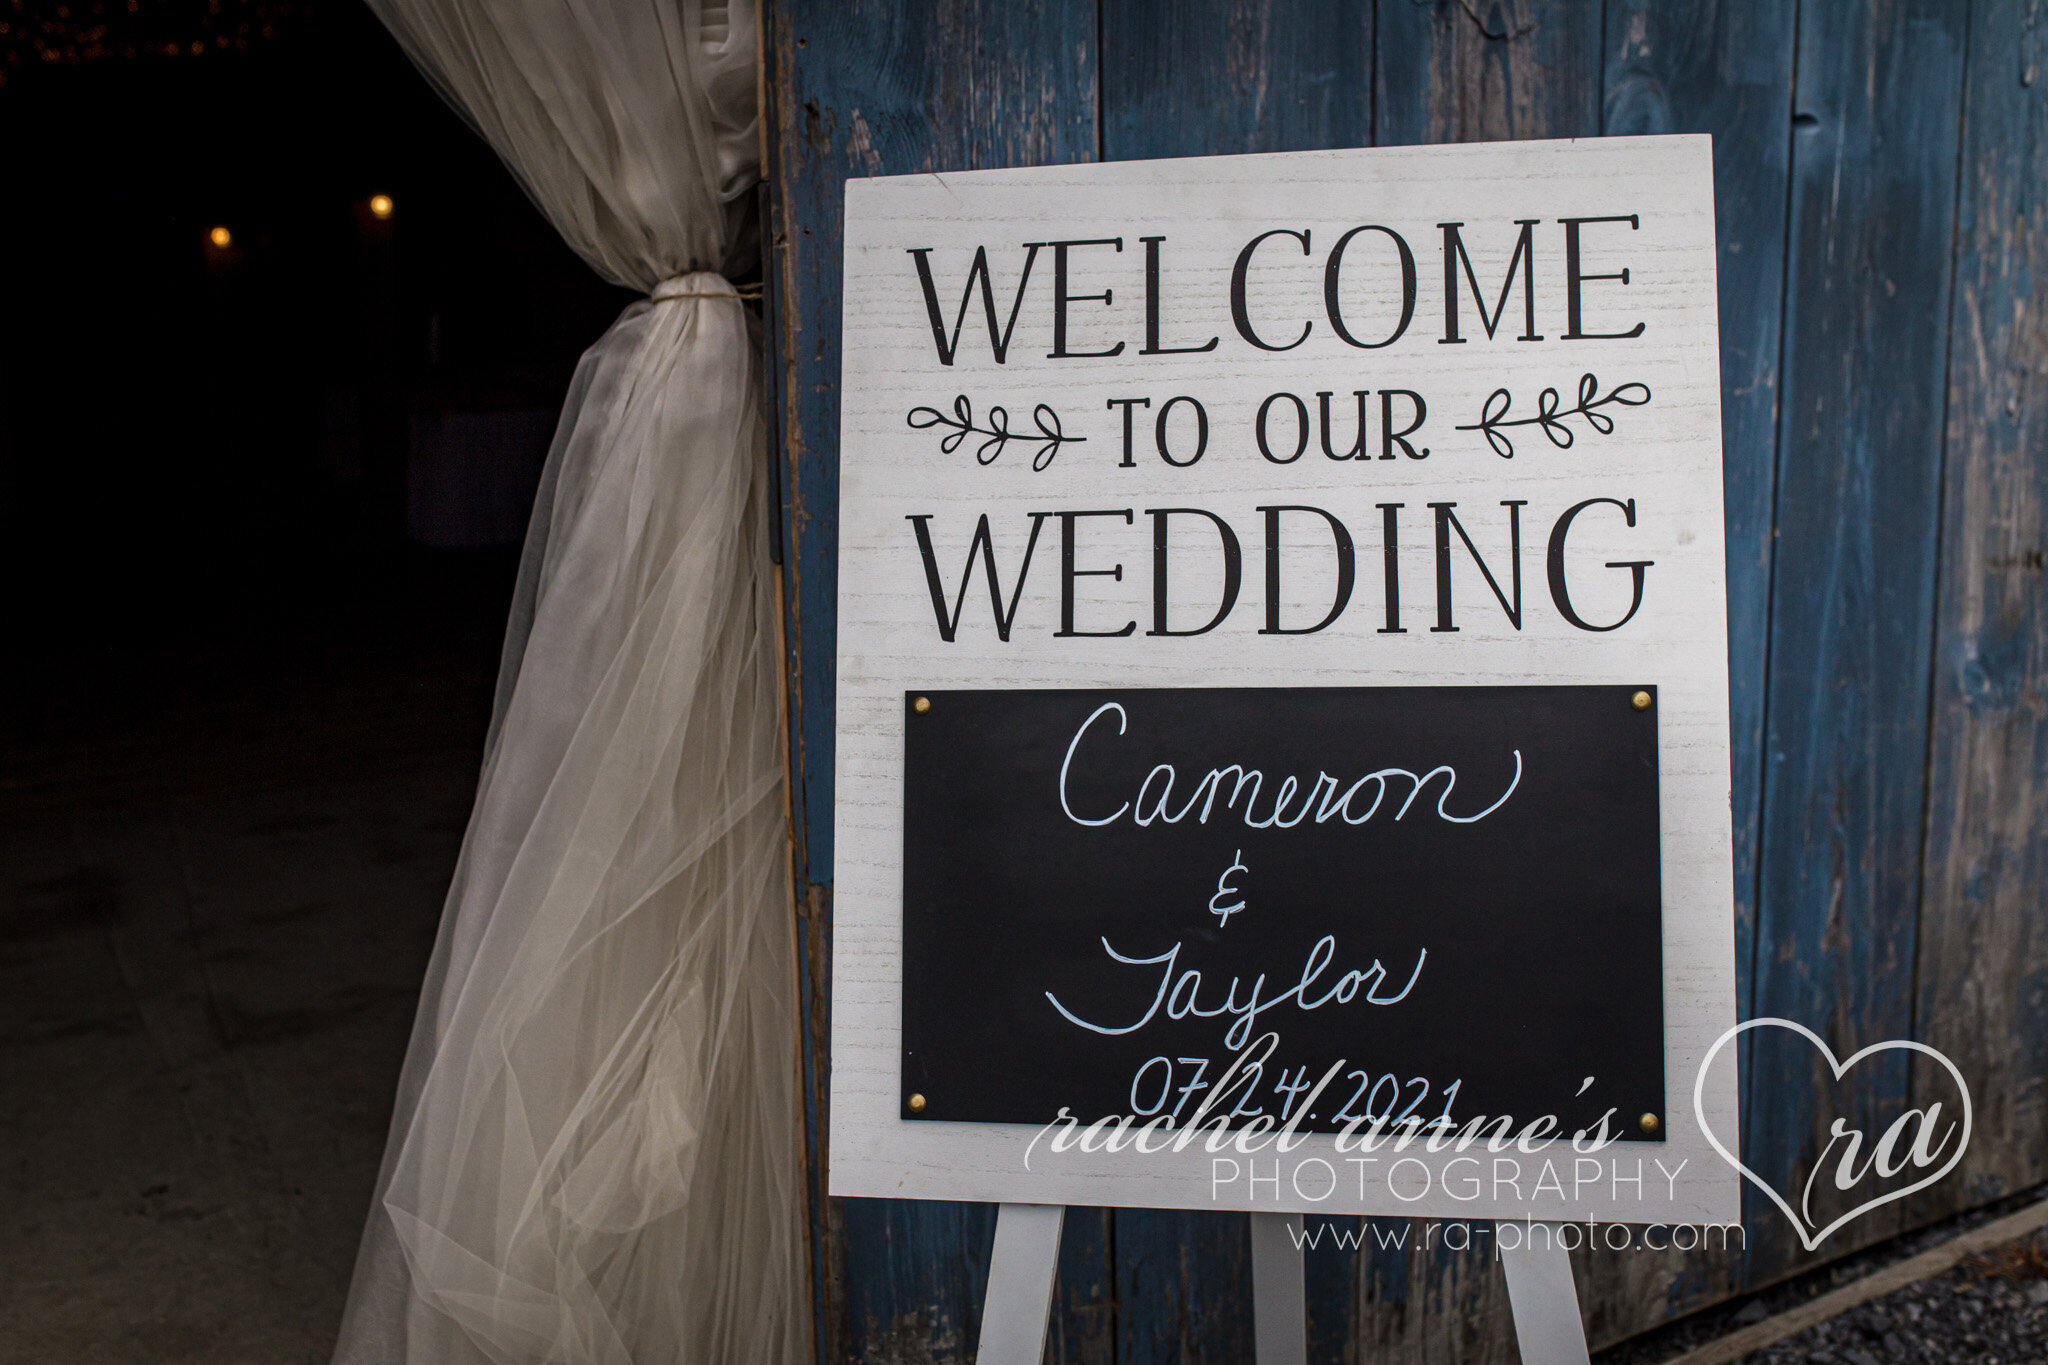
x=1881, y=206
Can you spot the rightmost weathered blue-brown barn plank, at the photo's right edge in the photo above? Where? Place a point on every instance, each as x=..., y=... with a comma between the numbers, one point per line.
x=1983, y=938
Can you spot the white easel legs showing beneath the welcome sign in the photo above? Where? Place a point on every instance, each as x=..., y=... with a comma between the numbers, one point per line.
x=1027, y=1256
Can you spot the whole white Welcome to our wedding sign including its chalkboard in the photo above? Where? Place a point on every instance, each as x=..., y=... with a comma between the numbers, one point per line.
x=1283, y=687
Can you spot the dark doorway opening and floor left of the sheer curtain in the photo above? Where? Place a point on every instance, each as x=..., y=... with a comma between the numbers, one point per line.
x=259, y=523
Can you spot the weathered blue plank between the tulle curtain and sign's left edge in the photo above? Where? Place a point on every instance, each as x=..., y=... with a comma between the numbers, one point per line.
x=863, y=89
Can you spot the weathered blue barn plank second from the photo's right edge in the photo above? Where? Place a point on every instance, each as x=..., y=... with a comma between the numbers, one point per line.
x=1852, y=615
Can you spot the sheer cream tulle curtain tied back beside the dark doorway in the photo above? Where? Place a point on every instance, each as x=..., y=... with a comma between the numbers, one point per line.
x=595, y=1147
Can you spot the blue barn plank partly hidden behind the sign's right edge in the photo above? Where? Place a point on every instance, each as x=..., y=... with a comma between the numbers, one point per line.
x=1721, y=69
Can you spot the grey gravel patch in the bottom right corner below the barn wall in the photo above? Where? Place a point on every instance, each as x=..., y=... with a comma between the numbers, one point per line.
x=1990, y=1311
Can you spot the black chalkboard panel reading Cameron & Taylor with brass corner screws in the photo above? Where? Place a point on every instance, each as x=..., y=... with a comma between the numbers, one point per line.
x=1451, y=889
